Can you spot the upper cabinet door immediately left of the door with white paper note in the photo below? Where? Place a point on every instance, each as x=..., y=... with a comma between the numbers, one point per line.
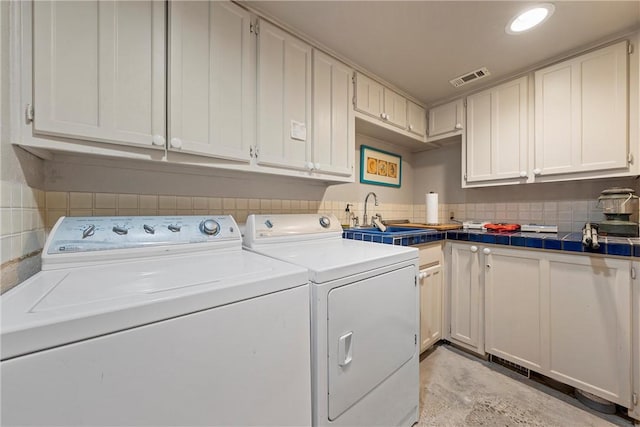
x=212, y=85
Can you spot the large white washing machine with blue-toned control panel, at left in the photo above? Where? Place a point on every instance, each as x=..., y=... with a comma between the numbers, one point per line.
x=156, y=321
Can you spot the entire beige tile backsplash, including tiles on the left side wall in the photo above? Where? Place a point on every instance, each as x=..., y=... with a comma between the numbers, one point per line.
x=28, y=214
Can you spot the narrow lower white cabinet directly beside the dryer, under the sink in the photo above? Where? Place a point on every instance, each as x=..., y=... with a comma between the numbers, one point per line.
x=431, y=296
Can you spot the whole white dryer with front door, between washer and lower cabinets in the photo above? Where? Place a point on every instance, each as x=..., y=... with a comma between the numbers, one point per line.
x=364, y=322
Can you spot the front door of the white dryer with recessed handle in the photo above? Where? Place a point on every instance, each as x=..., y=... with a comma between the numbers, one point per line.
x=372, y=329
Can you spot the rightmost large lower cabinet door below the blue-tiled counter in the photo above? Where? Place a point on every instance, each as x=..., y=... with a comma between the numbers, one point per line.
x=589, y=324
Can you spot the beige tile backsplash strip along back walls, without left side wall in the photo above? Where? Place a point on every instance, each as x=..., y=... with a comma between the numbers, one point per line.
x=568, y=215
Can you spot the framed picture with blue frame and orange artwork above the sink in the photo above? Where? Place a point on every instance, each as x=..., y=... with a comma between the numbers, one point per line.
x=380, y=167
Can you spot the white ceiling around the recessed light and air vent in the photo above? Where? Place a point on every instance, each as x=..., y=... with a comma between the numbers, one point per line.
x=419, y=46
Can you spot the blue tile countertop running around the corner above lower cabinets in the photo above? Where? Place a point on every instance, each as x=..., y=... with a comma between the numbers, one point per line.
x=567, y=242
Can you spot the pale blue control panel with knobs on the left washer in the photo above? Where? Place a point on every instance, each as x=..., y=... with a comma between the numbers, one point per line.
x=83, y=234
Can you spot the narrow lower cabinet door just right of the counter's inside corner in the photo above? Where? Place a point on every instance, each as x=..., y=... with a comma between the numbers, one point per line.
x=466, y=297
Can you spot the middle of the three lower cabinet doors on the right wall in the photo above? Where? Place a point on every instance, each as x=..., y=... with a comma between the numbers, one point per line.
x=513, y=306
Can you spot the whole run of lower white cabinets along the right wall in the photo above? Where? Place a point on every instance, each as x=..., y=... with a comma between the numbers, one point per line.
x=565, y=316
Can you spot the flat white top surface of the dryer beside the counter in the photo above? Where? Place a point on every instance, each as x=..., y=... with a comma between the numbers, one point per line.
x=337, y=258
